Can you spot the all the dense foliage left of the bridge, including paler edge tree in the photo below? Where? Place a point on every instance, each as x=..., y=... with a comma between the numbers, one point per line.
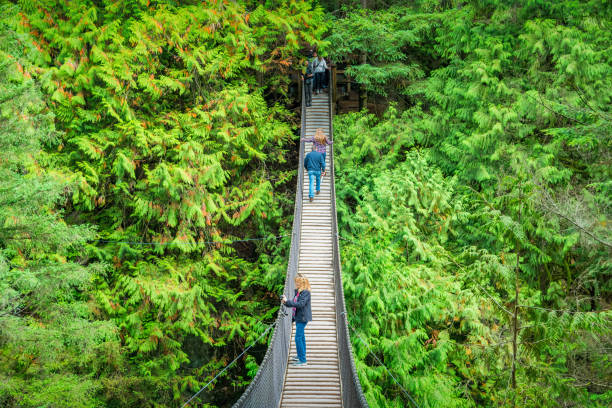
x=165, y=124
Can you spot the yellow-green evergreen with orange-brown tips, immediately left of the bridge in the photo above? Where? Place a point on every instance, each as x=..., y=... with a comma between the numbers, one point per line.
x=173, y=131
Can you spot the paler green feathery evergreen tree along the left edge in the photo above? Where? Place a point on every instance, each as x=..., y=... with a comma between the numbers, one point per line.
x=52, y=346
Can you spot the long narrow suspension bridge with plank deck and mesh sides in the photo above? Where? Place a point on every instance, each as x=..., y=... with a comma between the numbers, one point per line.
x=330, y=379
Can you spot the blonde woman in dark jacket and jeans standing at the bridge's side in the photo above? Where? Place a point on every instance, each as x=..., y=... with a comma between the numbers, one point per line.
x=302, y=314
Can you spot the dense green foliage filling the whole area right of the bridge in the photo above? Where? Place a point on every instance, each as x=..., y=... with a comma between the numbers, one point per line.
x=491, y=176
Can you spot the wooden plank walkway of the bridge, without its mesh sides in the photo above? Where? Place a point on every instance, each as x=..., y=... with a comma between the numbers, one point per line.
x=318, y=384
